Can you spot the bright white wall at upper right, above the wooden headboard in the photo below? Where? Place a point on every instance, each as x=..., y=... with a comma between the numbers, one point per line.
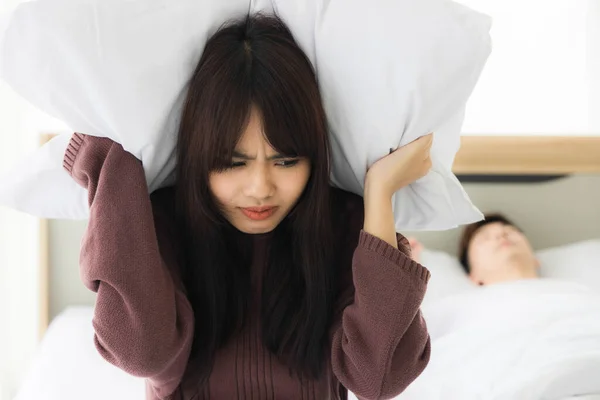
x=543, y=76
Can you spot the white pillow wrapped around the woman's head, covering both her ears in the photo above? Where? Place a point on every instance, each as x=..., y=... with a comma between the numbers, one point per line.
x=389, y=73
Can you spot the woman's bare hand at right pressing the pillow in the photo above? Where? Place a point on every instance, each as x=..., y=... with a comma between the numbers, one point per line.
x=400, y=168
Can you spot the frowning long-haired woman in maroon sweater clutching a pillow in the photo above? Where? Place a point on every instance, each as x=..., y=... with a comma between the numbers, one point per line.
x=252, y=277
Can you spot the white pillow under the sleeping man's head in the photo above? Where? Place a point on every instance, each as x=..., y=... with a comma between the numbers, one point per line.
x=577, y=262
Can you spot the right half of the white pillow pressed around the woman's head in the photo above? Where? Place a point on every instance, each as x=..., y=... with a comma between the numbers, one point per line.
x=391, y=72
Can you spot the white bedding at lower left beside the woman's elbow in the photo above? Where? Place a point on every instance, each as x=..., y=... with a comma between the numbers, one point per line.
x=68, y=366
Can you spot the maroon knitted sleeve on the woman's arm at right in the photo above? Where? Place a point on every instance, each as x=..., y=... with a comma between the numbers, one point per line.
x=380, y=342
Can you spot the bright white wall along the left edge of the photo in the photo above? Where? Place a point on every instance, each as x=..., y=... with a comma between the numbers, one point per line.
x=20, y=126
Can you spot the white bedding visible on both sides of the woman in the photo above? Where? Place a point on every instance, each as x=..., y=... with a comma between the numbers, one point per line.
x=533, y=340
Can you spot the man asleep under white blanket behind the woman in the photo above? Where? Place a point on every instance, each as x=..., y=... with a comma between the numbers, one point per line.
x=509, y=336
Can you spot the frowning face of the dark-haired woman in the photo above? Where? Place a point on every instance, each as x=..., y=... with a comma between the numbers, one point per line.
x=262, y=186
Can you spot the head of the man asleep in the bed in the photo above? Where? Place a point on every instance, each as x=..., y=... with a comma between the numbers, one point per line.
x=496, y=250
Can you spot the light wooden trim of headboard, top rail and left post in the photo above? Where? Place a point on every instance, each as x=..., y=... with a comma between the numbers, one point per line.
x=478, y=155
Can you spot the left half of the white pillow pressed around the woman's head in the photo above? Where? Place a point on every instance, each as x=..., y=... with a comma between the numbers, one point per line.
x=113, y=68
